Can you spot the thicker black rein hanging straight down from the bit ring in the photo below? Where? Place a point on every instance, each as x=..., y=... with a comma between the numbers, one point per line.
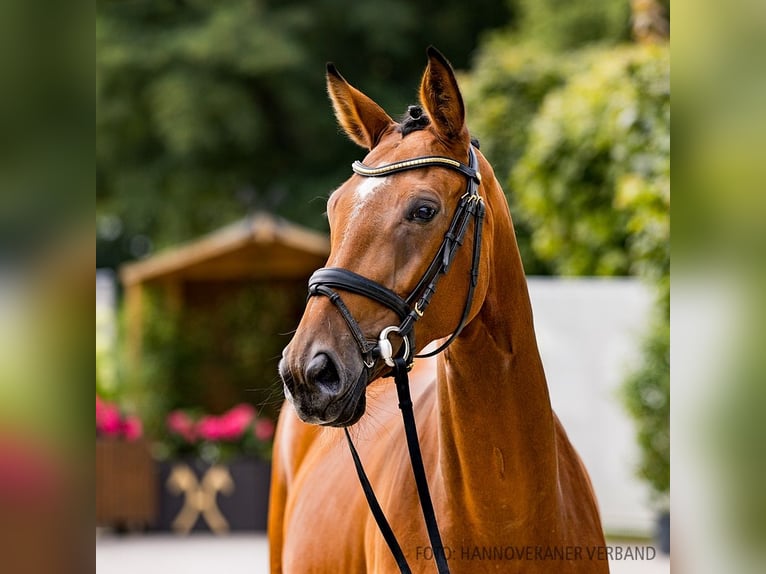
x=416, y=459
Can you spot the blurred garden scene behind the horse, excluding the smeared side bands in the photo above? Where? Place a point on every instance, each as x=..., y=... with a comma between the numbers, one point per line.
x=216, y=150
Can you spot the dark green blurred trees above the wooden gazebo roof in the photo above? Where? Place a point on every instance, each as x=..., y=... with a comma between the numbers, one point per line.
x=207, y=110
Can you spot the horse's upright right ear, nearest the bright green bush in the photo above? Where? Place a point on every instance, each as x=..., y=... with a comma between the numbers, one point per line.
x=440, y=96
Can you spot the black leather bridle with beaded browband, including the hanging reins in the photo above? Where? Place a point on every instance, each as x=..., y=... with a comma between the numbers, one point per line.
x=325, y=281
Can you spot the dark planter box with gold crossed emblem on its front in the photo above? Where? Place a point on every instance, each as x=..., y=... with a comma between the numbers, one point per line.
x=195, y=496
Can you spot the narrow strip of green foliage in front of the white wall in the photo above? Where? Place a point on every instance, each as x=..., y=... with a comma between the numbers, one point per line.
x=646, y=395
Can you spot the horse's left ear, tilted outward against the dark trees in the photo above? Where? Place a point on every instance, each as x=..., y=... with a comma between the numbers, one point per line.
x=363, y=120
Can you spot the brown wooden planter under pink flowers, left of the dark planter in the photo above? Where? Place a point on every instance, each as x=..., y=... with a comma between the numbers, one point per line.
x=126, y=487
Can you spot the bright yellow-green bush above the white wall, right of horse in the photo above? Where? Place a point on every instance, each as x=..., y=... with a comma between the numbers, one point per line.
x=594, y=181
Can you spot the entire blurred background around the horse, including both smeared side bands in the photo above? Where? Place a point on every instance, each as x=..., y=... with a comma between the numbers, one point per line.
x=215, y=151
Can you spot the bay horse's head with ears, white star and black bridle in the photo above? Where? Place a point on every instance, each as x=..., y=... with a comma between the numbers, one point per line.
x=395, y=229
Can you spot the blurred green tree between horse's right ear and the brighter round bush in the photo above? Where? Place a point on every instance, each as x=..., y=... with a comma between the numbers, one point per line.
x=515, y=69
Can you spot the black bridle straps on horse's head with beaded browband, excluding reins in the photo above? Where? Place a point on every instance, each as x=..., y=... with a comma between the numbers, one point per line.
x=325, y=281
